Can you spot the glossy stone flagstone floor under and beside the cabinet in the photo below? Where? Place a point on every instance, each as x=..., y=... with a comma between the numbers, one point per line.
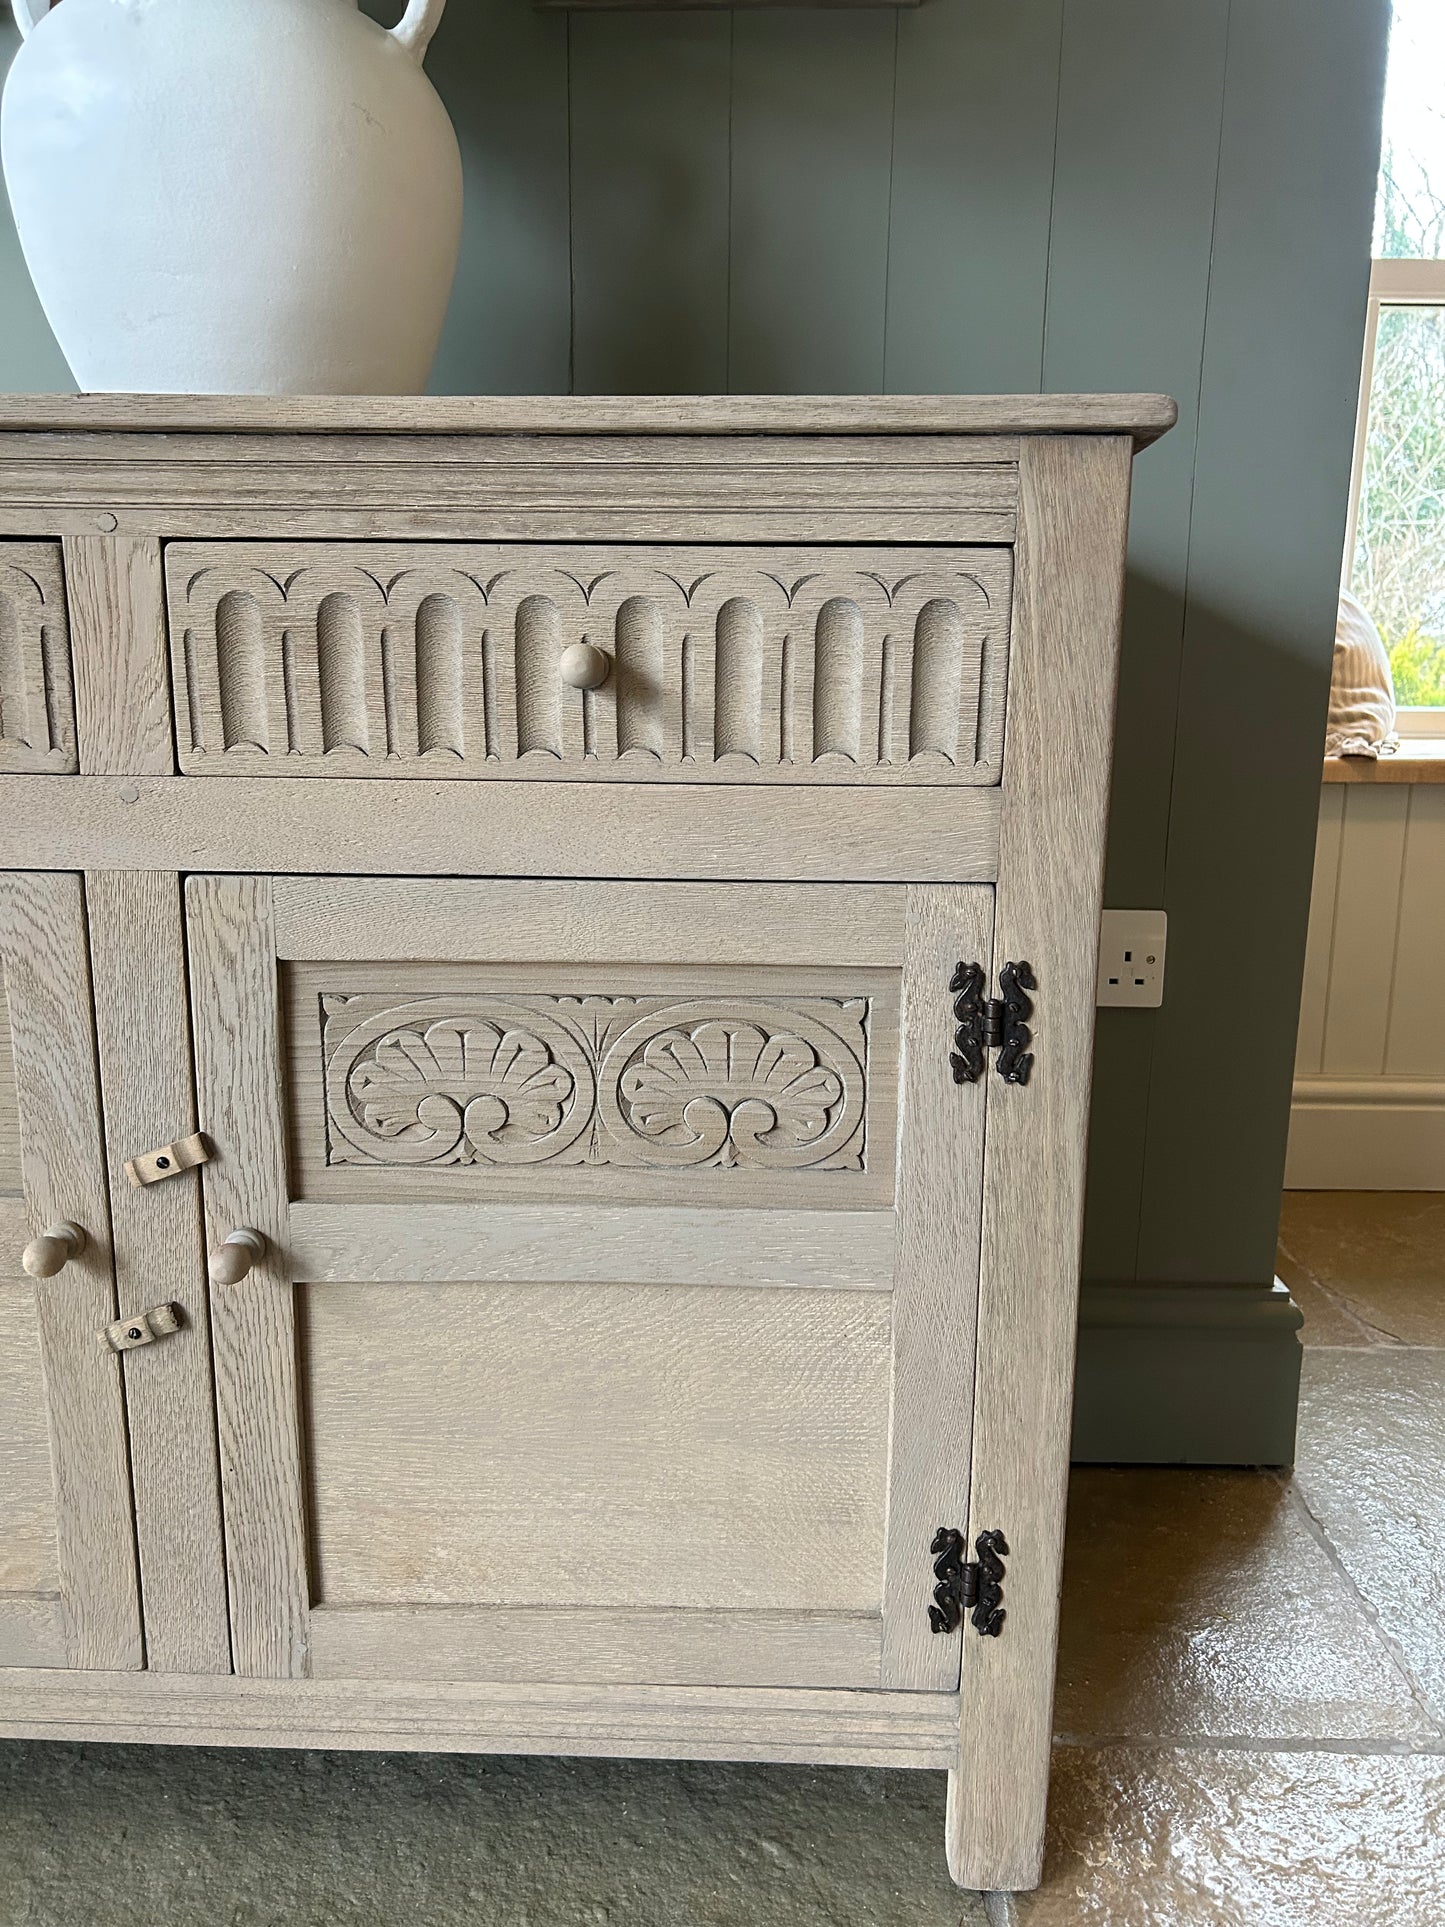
x=1251, y=1722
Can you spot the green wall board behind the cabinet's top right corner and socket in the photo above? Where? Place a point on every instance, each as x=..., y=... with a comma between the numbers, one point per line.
x=1136, y=80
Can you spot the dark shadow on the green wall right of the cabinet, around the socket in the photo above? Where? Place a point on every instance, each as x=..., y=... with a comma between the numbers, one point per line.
x=1192, y=1101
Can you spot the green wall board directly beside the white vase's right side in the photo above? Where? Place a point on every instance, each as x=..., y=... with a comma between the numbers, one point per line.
x=502, y=72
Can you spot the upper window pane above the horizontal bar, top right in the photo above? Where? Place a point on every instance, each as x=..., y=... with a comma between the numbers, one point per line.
x=1411, y=207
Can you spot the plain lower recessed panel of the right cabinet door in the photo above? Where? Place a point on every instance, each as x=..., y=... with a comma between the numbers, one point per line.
x=596, y=1446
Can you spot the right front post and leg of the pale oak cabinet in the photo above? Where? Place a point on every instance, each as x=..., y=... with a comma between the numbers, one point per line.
x=1066, y=637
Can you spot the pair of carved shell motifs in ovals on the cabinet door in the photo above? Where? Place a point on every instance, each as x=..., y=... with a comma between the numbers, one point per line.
x=643, y=1082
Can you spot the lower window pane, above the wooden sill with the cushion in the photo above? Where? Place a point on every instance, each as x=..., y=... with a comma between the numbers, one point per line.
x=1400, y=544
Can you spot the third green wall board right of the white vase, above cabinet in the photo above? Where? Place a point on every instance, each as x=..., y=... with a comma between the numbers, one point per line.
x=812, y=140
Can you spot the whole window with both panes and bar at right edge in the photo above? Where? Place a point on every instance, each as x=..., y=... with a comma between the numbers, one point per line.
x=1396, y=552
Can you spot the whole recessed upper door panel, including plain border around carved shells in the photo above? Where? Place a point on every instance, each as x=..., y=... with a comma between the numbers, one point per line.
x=723, y=1032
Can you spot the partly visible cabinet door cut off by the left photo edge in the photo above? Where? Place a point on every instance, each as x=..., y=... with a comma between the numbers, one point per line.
x=68, y=1587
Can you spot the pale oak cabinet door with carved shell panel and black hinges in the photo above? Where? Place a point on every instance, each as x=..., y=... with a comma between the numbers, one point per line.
x=616, y=1307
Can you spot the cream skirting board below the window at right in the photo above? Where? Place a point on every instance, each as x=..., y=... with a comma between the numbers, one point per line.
x=1367, y=1134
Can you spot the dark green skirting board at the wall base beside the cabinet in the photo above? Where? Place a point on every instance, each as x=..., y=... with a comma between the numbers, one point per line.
x=1186, y=1375
